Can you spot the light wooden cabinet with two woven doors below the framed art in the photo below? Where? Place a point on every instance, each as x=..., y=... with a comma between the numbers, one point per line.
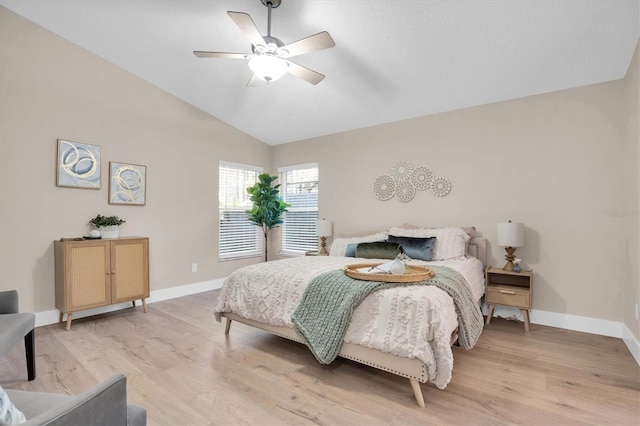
x=94, y=273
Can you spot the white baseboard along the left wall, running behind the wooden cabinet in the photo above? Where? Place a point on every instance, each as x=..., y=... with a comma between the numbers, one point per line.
x=52, y=317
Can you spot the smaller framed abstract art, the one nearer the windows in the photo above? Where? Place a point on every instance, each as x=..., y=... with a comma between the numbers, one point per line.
x=127, y=184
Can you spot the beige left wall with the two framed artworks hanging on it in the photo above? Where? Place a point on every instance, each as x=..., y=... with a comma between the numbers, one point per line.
x=49, y=89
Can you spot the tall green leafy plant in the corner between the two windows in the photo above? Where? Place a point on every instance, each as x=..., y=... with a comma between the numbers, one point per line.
x=268, y=206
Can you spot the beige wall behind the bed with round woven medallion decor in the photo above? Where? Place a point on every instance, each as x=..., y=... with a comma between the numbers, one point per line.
x=552, y=161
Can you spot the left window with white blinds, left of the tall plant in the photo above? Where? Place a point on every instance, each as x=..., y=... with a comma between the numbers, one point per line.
x=238, y=237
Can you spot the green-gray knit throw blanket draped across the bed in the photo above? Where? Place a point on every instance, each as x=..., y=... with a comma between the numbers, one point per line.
x=328, y=303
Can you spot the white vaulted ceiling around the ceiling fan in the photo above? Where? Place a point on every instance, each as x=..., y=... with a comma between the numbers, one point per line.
x=393, y=59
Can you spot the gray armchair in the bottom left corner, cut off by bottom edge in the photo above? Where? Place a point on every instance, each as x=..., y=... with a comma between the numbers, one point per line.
x=104, y=404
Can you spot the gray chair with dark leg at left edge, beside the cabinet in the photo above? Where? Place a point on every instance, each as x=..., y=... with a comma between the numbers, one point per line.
x=15, y=326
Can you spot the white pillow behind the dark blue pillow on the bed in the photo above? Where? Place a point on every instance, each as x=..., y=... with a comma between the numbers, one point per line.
x=451, y=243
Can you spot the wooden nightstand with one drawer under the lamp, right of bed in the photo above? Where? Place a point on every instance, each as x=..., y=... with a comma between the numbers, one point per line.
x=510, y=289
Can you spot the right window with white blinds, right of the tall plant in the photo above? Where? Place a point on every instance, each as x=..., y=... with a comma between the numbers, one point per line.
x=299, y=187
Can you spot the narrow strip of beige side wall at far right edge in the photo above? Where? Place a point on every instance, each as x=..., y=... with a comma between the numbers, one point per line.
x=631, y=206
